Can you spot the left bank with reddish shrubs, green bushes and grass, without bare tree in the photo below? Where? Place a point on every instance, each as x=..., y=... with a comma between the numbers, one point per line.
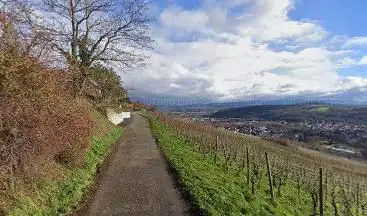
x=53, y=130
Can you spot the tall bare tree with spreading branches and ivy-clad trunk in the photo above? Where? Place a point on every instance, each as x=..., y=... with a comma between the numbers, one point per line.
x=87, y=32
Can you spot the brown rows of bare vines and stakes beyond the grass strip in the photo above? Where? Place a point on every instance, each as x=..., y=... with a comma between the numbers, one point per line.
x=331, y=192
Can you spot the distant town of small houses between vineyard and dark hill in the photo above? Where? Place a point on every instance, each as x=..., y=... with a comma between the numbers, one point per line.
x=344, y=138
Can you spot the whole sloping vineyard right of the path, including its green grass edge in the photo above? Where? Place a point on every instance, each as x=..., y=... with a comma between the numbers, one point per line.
x=300, y=181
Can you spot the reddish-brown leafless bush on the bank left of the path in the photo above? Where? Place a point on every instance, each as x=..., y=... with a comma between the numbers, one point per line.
x=39, y=119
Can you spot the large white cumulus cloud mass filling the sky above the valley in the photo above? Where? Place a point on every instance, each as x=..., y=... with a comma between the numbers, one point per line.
x=213, y=51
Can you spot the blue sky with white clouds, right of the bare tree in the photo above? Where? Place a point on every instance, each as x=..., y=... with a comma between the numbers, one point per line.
x=246, y=49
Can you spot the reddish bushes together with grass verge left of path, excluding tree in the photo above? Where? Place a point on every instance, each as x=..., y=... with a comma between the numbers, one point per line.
x=51, y=142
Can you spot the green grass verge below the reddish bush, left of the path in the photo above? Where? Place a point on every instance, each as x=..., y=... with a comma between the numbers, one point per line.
x=58, y=195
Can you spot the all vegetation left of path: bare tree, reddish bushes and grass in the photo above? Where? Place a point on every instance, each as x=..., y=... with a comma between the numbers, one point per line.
x=57, y=78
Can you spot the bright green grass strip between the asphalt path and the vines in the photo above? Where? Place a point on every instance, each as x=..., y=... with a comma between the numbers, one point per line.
x=218, y=192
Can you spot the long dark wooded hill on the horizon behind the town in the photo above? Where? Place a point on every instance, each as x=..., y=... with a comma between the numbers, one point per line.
x=296, y=113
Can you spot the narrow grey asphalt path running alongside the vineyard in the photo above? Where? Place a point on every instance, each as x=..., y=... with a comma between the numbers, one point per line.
x=136, y=180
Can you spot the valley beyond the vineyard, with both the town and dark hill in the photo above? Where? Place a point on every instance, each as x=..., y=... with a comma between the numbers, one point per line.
x=336, y=129
